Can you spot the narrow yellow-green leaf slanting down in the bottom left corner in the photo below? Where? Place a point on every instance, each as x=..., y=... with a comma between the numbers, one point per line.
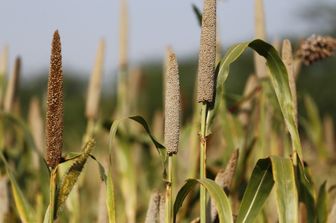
x=24, y=209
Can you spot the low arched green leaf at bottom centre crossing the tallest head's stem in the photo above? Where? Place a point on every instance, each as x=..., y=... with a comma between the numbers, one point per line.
x=217, y=194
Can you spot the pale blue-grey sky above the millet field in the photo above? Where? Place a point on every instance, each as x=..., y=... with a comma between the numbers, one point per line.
x=27, y=28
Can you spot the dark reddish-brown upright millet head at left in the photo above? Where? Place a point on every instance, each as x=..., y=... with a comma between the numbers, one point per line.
x=54, y=119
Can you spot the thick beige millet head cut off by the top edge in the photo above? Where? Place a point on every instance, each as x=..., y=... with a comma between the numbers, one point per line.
x=207, y=54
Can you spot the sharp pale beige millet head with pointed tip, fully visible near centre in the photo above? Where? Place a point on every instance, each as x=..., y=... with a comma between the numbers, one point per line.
x=172, y=105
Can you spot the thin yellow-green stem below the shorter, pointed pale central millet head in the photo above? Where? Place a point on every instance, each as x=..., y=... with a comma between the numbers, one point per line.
x=169, y=196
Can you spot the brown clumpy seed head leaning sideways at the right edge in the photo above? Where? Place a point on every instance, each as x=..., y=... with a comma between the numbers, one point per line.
x=316, y=48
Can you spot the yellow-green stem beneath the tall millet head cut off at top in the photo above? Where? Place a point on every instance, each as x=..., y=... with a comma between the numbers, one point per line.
x=203, y=195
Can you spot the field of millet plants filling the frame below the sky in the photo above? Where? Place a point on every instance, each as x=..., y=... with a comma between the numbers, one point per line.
x=189, y=151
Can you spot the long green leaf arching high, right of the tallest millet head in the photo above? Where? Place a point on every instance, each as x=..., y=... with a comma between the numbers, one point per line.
x=278, y=76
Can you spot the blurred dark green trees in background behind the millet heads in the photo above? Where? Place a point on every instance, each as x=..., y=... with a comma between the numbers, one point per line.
x=318, y=81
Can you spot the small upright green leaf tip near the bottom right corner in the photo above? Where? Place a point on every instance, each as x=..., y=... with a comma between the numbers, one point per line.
x=322, y=204
